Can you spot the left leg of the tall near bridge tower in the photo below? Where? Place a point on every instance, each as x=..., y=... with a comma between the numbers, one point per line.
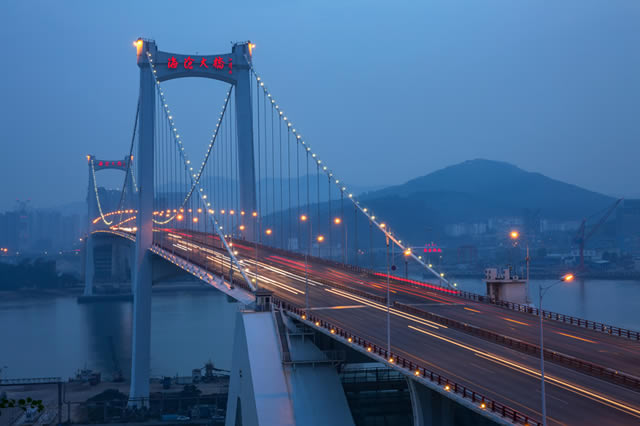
x=141, y=353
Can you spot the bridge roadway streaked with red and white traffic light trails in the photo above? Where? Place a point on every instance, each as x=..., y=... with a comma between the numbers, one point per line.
x=498, y=372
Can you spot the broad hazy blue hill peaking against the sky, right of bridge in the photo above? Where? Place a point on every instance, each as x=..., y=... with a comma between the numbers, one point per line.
x=478, y=189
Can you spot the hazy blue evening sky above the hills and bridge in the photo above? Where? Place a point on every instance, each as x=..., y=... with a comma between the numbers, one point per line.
x=384, y=91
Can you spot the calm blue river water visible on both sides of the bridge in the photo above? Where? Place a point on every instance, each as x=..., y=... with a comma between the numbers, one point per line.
x=54, y=336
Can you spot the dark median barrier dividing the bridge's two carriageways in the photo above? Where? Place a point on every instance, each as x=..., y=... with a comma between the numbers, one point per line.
x=553, y=356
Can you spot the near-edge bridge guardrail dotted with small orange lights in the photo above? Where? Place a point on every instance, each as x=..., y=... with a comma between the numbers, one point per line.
x=411, y=368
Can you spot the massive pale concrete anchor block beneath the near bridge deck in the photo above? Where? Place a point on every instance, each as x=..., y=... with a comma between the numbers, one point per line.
x=276, y=380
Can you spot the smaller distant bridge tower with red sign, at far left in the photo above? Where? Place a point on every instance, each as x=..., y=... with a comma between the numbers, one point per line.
x=94, y=211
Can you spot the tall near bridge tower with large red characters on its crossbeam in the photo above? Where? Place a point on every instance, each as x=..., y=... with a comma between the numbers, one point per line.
x=168, y=66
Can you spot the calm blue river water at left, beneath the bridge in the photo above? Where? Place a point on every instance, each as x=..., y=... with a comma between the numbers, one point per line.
x=55, y=336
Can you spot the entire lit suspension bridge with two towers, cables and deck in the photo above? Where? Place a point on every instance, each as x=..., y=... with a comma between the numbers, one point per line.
x=265, y=220
